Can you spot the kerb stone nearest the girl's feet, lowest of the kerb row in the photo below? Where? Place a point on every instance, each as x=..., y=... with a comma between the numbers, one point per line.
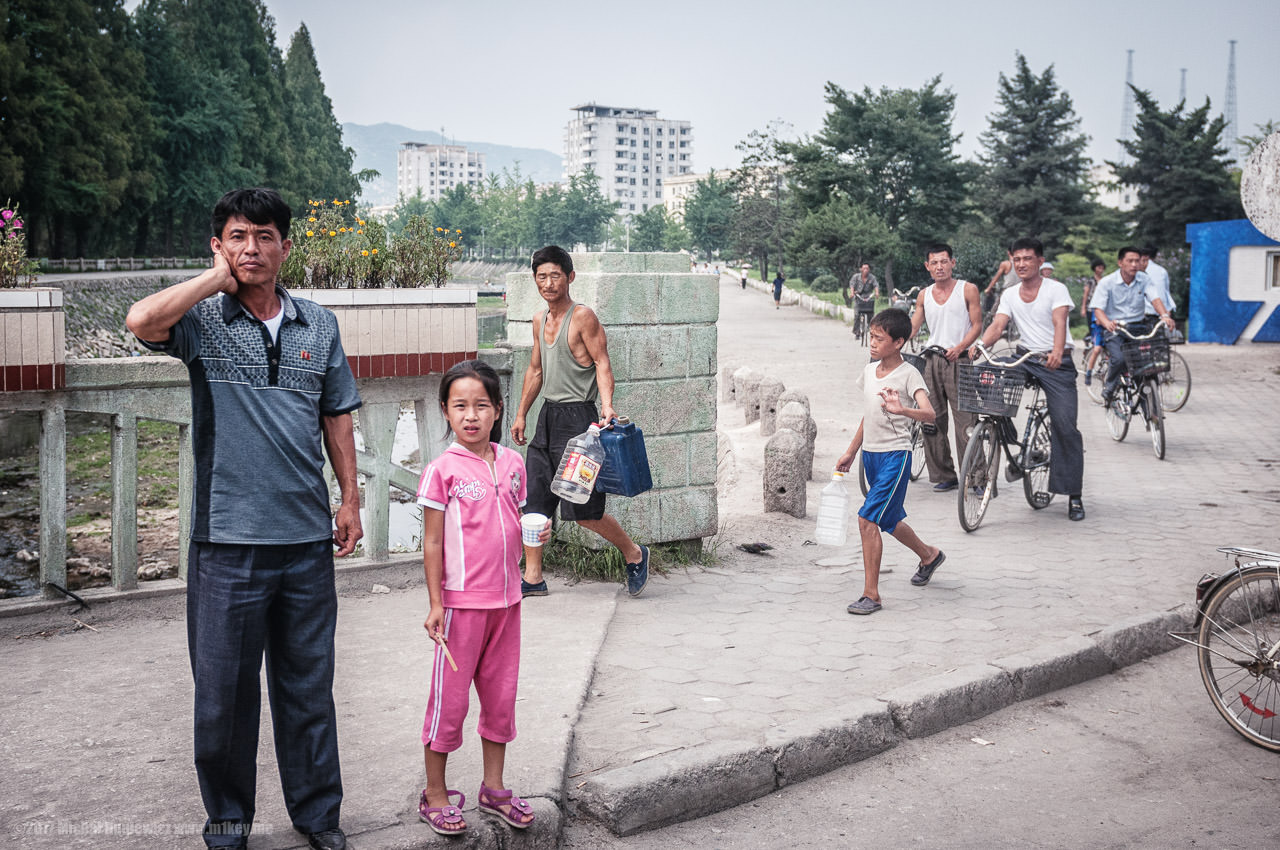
x=678, y=788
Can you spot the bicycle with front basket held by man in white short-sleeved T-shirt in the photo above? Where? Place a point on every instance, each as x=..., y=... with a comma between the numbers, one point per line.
x=994, y=392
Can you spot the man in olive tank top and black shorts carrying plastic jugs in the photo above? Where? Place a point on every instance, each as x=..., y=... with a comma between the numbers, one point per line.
x=570, y=368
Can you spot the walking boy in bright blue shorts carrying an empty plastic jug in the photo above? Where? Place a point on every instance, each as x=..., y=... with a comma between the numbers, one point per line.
x=895, y=395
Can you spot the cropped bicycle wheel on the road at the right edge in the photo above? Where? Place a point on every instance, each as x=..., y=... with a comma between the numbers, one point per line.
x=1240, y=628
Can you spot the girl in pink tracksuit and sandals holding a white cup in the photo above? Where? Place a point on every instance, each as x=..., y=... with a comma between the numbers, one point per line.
x=472, y=497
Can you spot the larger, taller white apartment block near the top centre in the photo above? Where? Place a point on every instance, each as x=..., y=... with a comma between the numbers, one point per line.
x=632, y=150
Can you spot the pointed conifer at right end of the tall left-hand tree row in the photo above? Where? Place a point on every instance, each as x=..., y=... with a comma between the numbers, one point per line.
x=322, y=164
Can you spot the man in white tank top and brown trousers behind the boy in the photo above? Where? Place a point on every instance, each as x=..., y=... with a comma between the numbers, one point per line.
x=953, y=312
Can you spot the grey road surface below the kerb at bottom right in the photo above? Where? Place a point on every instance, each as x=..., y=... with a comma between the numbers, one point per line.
x=1135, y=760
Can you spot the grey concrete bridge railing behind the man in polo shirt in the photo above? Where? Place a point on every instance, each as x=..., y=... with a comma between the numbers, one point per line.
x=129, y=390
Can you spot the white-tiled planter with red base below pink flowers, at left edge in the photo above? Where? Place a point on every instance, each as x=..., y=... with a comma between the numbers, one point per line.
x=33, y=340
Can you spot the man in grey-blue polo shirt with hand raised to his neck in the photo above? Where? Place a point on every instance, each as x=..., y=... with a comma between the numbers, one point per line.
x=269, y=385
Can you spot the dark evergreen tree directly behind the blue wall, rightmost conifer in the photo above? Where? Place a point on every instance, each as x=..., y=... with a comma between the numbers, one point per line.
x=1178, y=163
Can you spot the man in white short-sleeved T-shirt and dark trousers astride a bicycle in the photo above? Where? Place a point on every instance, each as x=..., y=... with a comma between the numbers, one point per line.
x=1040, y=308
